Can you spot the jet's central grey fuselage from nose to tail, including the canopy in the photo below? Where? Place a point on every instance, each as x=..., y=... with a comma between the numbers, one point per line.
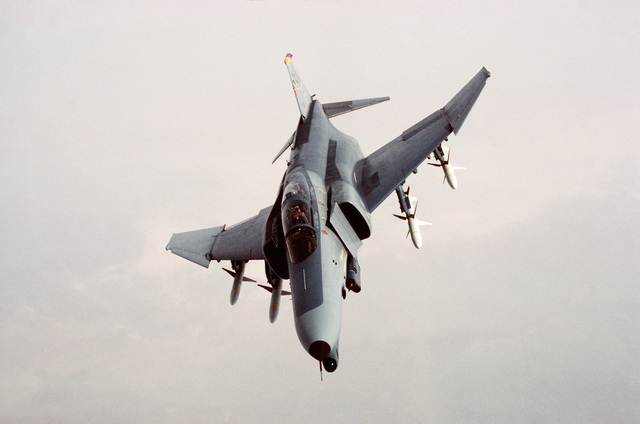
x=322, y=158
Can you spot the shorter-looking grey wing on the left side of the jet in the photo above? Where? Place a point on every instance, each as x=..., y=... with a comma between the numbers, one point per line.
x=240, y=242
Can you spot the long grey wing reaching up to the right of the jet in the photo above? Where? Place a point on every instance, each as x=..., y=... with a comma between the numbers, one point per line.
x=386, y=168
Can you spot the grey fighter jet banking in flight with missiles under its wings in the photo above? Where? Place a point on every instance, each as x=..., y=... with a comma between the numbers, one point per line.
x=312, y=232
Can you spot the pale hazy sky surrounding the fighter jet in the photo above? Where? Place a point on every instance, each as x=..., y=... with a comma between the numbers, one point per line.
x=122, y=123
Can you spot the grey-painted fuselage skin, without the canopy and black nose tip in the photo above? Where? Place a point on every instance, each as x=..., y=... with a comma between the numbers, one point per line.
x=323, y=155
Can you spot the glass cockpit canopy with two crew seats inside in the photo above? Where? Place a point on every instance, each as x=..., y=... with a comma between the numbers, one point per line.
x=297, y=220
